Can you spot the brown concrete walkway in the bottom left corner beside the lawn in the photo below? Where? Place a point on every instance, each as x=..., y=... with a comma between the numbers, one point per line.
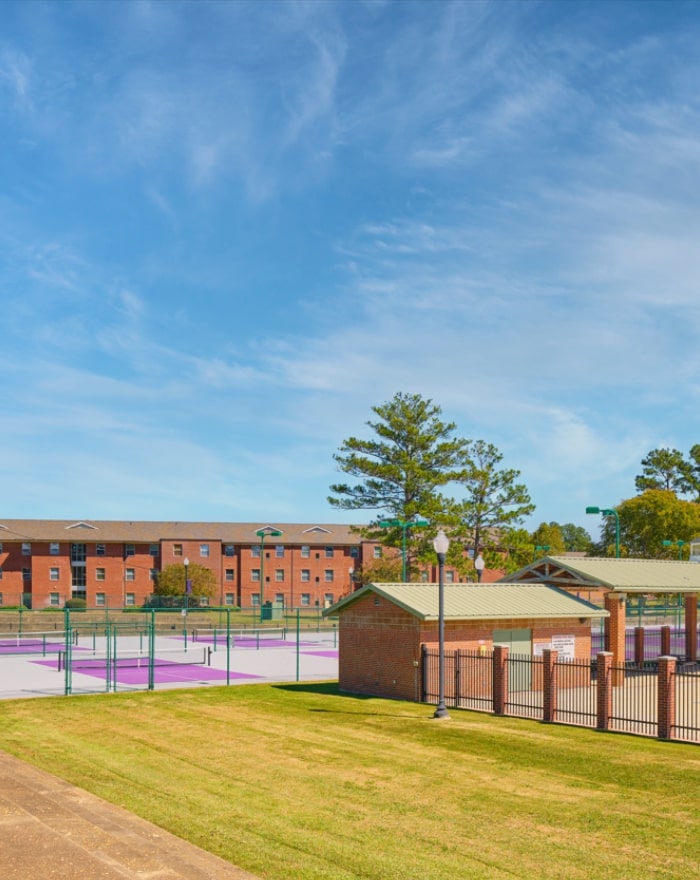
x=51, y=830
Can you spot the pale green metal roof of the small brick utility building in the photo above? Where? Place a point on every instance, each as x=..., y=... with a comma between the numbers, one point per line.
x=497, y=601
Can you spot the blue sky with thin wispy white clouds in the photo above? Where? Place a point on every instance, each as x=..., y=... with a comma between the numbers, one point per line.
x=227, y=230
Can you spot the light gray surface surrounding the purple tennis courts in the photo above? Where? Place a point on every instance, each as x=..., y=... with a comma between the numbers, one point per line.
x=250, y=661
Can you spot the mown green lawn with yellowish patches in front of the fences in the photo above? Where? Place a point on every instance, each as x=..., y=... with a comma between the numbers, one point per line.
x=297, y=781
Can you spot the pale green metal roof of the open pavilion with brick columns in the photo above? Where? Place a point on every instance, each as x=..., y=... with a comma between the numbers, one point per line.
x=622, y=575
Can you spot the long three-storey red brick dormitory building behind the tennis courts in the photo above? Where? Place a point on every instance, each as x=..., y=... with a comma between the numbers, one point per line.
x=115, y=563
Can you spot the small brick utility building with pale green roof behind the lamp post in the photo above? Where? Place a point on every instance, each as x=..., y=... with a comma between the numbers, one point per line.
x=384, y=627
